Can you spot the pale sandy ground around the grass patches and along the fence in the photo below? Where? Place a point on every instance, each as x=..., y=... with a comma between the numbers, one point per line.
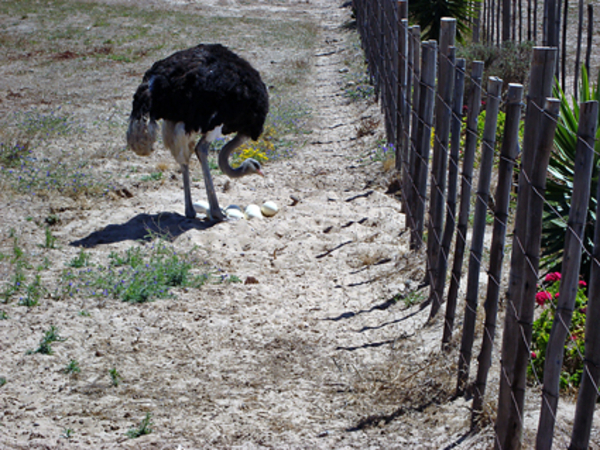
x=309, y=353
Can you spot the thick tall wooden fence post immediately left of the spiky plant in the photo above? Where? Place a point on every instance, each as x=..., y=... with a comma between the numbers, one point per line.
x=510, y=403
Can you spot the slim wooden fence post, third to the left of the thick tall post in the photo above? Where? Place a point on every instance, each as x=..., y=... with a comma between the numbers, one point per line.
x=474, y=107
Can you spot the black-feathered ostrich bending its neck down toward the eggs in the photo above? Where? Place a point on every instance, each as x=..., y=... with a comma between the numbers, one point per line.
x=206, y=90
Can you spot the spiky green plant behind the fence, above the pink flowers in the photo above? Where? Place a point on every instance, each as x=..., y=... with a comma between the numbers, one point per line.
x=559, y=187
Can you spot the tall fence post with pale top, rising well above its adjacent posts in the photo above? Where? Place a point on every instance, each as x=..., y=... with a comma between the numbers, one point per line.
x=443, y=116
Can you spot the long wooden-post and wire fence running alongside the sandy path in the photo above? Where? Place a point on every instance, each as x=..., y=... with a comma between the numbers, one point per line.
x=422, y=88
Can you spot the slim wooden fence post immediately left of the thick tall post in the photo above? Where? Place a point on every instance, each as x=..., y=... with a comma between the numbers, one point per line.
x=508, y=154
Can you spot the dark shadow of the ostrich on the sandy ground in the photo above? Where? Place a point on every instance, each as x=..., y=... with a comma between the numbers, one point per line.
x=143, y=227
